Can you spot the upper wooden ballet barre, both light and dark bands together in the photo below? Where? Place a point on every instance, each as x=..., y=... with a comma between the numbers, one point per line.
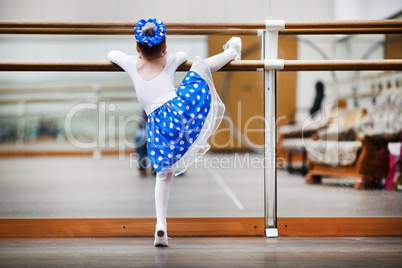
x=201, y=28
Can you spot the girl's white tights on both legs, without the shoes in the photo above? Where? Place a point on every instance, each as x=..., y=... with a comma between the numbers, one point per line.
x=164, y=179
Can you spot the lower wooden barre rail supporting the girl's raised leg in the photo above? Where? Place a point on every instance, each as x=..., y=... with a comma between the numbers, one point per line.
x=243, y=65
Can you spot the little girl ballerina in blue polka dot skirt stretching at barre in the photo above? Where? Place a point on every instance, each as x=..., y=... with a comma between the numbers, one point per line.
x=179, y=121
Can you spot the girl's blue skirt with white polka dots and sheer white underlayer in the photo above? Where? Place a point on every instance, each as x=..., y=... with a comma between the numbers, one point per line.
x=177, y=131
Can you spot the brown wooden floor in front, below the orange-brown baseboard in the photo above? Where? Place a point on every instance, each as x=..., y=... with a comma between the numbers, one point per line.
x=203, y=252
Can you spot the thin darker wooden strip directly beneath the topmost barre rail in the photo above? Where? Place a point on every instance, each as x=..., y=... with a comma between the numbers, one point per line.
x=107, y=31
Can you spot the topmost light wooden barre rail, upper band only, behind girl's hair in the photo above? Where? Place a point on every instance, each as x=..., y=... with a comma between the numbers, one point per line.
x=205, y=24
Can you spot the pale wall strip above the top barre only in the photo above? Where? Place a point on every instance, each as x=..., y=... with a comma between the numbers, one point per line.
x=178, y=10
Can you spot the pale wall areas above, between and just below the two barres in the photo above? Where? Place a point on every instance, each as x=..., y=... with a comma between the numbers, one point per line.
x=95, y=47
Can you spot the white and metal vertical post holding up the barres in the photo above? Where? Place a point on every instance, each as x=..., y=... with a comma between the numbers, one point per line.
x=270, y=46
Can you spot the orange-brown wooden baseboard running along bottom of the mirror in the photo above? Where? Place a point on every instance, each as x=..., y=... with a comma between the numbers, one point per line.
x=132, y=227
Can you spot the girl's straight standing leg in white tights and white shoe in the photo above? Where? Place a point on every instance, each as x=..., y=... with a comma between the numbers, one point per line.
x=162, y=188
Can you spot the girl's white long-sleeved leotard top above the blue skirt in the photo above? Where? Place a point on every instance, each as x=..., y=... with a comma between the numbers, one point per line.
x=153, y=93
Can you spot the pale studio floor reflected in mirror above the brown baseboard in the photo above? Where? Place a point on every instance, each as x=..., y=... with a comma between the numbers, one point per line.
x=221, y=185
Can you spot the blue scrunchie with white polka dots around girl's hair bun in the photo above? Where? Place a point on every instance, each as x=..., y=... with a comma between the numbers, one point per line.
x=154, y=40
